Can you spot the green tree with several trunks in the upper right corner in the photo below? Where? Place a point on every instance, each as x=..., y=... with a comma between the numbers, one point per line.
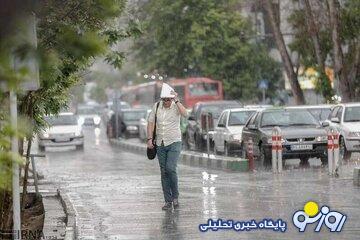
x=317, y=40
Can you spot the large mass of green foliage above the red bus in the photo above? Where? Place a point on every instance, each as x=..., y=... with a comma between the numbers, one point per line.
x=205, y=38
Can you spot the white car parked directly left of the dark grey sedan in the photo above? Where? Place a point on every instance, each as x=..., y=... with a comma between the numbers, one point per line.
x=227, y=133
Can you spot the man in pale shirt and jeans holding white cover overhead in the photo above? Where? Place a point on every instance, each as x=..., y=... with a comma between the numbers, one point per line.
x=168, y=140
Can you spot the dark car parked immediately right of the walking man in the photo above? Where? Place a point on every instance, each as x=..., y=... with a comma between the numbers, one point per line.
x=195, y=136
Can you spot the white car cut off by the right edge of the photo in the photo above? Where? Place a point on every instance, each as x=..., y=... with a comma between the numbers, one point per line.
x=346, y=118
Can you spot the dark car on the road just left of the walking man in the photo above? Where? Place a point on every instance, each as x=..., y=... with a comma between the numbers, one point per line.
x=128, y=123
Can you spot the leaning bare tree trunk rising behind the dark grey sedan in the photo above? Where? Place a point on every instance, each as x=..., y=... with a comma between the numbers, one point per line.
x=289, y=68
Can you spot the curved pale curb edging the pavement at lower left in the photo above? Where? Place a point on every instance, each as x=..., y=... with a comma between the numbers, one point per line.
x=70, y=230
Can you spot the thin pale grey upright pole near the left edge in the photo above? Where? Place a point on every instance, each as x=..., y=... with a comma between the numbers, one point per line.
x=15, y=168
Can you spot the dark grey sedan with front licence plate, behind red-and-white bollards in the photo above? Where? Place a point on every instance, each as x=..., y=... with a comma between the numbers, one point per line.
x=302, y=135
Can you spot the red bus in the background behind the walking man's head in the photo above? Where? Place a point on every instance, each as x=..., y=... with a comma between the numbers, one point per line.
x=190, y=90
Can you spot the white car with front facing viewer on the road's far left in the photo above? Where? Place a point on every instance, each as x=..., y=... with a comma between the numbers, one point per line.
x=64, y=130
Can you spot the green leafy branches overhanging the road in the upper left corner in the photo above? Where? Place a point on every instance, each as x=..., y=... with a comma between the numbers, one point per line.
x=71, y=34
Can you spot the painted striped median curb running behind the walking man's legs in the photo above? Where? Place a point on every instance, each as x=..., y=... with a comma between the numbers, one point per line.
x=191, y=158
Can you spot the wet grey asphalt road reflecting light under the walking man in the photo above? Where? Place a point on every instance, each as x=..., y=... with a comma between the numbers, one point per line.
x=117, y=195
